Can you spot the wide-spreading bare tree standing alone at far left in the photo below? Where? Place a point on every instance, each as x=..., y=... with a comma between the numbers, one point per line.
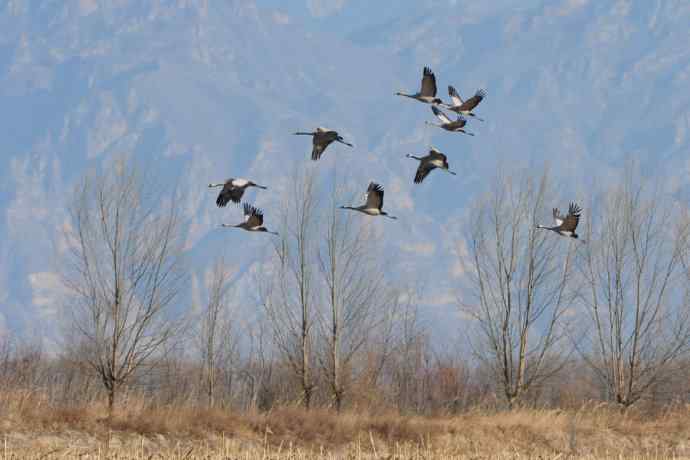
x=124, y=275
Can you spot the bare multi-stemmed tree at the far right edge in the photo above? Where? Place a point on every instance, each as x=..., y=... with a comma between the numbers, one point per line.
x=637, y=294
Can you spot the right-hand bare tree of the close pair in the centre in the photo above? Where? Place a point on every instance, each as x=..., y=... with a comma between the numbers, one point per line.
x=355, y=296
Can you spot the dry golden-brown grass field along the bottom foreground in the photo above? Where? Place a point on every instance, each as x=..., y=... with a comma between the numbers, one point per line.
x=32, y=430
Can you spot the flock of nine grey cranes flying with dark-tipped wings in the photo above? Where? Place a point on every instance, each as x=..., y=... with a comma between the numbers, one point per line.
x=233, y=189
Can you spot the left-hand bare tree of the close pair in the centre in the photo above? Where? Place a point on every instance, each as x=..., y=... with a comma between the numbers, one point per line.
x=289, y=295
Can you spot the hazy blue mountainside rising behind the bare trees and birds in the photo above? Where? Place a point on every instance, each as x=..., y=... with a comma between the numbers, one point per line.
x=202, y=90
